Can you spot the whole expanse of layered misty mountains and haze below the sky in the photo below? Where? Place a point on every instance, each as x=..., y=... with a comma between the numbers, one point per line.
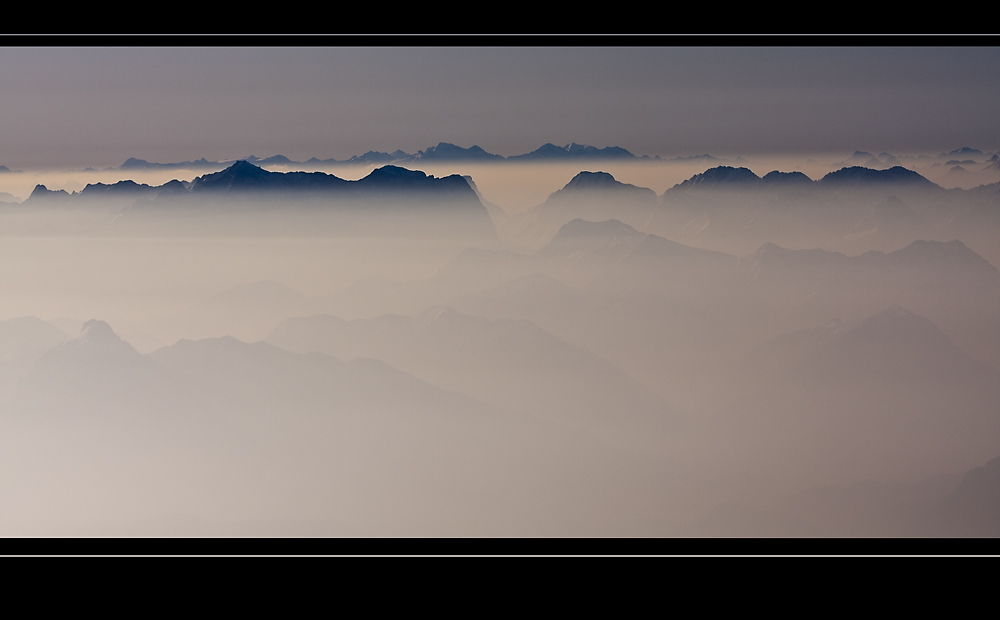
x=599, y=347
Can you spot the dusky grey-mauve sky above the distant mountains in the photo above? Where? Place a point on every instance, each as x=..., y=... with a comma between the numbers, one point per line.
x=98, y=106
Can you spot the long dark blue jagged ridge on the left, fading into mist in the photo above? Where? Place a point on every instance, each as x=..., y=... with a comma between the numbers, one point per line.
x=245, y=199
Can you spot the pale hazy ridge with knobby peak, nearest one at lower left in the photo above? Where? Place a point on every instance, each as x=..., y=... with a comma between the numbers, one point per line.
x=227, y=431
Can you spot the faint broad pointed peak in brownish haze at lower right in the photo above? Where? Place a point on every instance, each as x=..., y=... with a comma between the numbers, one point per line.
x=889, y=397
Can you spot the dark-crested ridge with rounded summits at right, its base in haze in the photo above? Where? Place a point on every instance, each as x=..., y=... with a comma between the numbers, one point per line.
x=733, y=210
